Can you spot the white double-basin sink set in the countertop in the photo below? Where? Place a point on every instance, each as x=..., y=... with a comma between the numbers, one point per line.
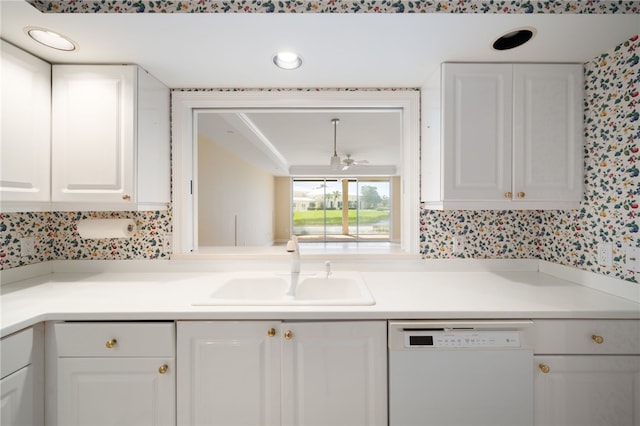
x=270, y=289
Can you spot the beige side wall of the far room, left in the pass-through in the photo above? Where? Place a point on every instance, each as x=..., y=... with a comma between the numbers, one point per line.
x=229, y=188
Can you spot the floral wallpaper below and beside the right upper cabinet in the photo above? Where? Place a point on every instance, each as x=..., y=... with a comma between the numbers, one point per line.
x=609, y=211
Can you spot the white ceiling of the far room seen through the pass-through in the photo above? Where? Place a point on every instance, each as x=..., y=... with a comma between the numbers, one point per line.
x=277, y=141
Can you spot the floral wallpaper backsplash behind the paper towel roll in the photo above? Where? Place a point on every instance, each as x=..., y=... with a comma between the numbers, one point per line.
x=56, y=237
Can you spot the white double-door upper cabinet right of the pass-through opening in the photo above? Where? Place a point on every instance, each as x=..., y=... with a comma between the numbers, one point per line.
x=504, y=136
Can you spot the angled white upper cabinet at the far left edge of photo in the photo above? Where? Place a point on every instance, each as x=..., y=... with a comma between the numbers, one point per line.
x=25, y=142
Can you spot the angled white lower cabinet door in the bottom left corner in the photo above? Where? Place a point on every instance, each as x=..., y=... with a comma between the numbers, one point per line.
x=16, y=398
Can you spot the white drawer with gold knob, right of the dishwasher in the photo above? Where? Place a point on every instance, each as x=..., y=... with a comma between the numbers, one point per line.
x=587, y=337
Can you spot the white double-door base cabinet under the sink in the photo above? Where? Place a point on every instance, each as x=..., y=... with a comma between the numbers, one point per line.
x=292, y=373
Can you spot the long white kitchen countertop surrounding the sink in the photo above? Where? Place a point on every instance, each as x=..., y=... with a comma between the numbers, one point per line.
x=399, y=295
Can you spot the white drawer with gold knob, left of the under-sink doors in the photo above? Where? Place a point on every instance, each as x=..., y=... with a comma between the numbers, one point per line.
x=121, y=339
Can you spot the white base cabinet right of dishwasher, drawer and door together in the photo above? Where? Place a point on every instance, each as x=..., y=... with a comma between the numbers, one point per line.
x=587, y=373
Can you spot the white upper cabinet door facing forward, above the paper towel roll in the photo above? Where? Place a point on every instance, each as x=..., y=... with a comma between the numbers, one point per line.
x=93, y=133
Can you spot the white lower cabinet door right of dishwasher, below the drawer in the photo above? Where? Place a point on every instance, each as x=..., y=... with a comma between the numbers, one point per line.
x=587, y=390
